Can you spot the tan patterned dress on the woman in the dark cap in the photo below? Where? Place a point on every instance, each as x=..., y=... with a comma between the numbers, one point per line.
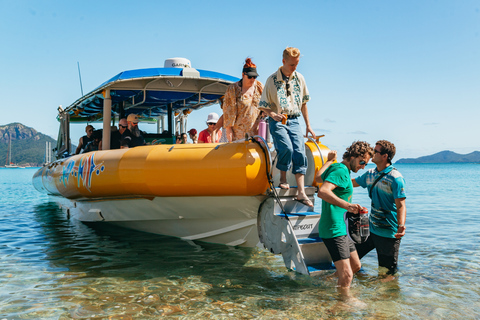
x=241, y=111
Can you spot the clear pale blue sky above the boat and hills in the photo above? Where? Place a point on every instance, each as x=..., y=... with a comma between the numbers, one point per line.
x=405, y=71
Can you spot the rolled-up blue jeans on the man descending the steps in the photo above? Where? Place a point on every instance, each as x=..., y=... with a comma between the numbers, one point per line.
x=288, y=140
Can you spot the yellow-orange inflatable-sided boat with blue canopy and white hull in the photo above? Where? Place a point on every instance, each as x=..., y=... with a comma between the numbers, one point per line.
x=208, y=192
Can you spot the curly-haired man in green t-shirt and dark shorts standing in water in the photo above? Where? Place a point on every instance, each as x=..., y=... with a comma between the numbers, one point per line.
x=336, y=194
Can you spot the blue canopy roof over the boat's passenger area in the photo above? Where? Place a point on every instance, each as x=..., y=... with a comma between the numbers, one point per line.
x=150, y=93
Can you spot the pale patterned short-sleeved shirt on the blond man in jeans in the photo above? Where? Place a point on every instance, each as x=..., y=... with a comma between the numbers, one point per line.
x=275, y=96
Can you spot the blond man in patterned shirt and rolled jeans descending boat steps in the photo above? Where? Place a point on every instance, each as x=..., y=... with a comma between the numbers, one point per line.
x=284, y=100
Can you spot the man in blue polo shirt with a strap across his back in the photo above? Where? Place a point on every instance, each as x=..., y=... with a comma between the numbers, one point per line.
x=386, y=188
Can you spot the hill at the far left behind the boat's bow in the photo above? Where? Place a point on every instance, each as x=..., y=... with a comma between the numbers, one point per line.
x=28, y=145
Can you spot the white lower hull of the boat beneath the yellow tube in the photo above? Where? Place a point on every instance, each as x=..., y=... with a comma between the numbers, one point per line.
x=229, y=220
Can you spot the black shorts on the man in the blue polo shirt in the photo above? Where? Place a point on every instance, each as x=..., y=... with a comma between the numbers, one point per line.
x=387, y=251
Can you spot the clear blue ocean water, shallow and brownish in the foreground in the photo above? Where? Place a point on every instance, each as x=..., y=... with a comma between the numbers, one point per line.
x=55, y=268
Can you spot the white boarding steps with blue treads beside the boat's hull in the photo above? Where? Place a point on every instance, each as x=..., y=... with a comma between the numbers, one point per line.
x=294, y=235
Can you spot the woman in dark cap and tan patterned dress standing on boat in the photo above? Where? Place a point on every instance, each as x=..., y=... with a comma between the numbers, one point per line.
x=240, y=106
